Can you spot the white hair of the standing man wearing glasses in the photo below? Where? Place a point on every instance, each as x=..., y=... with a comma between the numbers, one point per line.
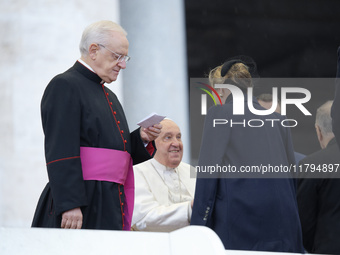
x=98, y=32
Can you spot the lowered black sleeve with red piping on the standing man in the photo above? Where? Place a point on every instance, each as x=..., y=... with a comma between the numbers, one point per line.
x=61, y=116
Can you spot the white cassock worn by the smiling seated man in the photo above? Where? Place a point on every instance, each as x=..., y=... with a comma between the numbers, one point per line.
x=163, y=196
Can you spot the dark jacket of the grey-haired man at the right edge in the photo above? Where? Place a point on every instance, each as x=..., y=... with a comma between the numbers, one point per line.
x=319, y=204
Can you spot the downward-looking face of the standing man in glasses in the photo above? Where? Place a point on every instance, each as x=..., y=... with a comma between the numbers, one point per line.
x=104, y=62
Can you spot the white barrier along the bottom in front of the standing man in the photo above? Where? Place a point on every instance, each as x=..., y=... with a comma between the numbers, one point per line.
x=186, y=241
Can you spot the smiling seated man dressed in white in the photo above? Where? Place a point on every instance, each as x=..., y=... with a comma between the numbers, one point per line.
x=164, y=191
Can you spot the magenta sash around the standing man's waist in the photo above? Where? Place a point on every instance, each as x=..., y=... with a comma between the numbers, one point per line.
x=113, y=166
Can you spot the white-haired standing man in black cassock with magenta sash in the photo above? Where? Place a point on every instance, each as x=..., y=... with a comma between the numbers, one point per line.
x=89, y=149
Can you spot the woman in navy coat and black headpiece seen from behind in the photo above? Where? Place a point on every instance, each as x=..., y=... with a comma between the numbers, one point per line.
x=248, y=211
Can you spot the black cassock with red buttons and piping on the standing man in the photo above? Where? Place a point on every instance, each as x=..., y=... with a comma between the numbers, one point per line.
x=78, y=110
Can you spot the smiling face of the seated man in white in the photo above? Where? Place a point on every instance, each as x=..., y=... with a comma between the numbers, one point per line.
x=169, y=145
